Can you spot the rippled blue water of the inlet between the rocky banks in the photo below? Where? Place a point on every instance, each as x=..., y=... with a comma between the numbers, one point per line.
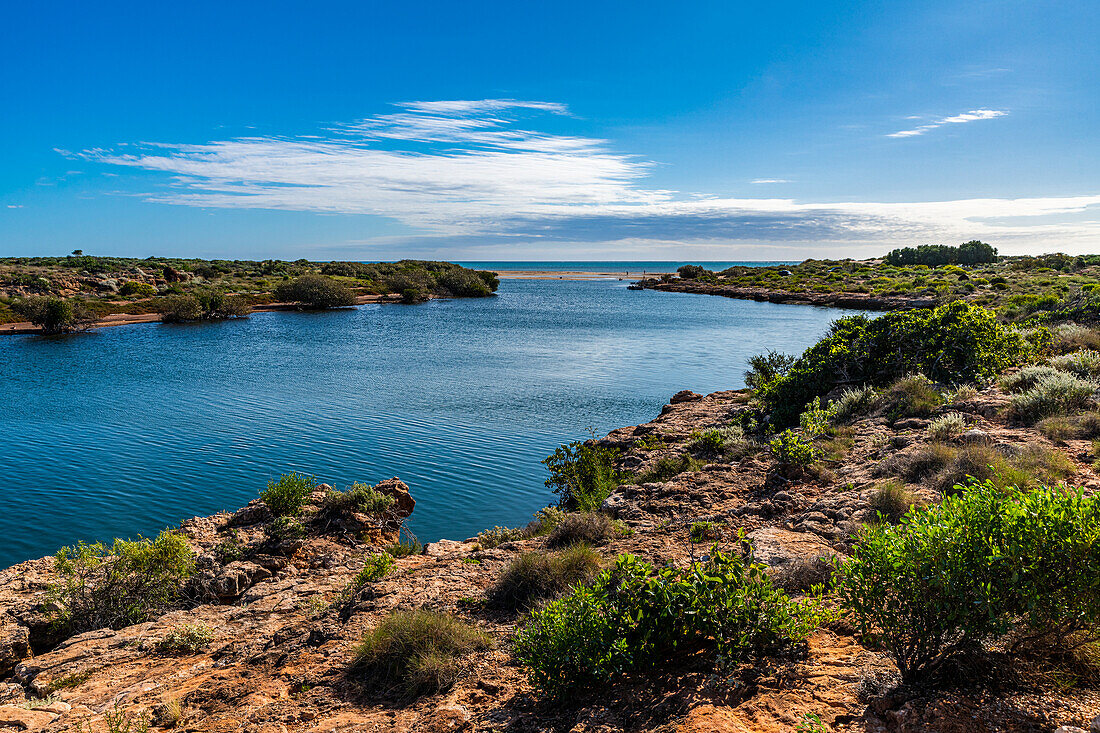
x=130, y=430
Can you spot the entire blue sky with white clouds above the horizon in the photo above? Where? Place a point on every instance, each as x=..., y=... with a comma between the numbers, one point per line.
x=566, y=130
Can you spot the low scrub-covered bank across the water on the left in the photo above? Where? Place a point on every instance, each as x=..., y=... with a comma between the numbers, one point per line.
x=68, y=294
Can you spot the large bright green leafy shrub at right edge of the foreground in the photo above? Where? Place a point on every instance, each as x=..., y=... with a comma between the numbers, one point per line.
x=953, y=576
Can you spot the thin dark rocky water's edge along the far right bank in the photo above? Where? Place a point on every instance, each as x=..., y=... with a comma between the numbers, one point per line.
x=842, y=300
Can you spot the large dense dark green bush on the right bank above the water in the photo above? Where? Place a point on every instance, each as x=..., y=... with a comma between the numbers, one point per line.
x=952, y=344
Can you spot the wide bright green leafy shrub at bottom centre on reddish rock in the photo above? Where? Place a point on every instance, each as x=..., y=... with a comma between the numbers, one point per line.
x=635, y=617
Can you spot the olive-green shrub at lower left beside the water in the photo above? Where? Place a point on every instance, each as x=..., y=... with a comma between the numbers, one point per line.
x=120, y=585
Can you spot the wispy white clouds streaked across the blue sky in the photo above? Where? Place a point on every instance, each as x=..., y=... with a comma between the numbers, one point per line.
x=461, y=172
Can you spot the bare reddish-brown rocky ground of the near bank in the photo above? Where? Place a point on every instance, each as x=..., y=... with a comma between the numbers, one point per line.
x=283, y=637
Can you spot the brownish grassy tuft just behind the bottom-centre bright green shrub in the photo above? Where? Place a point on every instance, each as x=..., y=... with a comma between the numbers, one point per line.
x=535, y=577
